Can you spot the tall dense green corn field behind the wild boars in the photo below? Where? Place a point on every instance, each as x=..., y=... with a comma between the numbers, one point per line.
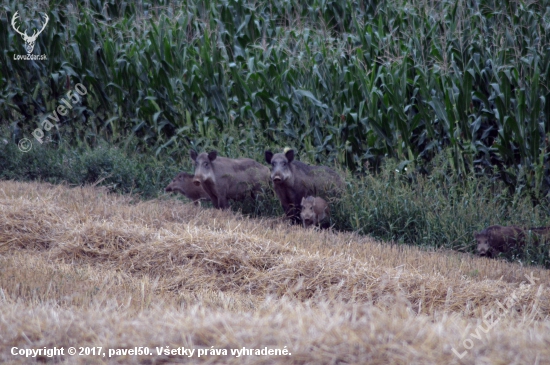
x=345, y=82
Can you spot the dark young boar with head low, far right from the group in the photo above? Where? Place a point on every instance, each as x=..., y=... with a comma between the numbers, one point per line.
x=495, y=239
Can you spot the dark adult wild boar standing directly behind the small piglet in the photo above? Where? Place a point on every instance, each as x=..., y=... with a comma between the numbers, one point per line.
x=294, y=180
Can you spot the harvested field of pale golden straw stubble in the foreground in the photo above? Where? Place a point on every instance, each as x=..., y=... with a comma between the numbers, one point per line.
x=109, y=276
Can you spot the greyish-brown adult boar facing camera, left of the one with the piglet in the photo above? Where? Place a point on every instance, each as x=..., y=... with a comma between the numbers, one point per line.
x=226, y=178
